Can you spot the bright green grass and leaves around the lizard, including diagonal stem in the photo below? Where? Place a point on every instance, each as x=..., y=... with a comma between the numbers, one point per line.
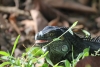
x=33, y=55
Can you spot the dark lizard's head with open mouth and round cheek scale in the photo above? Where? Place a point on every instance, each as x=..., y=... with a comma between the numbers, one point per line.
x=57, y=49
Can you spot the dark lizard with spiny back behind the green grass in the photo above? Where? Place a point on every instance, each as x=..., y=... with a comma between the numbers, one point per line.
x=62, y=49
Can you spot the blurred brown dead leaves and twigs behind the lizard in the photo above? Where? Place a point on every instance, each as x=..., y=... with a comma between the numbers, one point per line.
x=27, y=17
